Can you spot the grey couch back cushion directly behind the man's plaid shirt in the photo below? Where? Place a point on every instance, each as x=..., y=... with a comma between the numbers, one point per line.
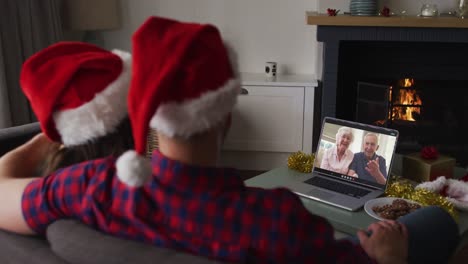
x=77, y=243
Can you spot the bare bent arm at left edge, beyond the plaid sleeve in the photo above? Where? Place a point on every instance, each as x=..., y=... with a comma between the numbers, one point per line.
x=17, y=170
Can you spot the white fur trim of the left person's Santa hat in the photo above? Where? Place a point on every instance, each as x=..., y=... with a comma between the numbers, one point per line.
x=101, y=115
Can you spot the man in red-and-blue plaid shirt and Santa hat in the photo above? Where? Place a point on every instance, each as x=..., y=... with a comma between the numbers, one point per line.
x=185, y=85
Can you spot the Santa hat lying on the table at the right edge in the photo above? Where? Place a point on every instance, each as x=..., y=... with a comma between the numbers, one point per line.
x=456, y=191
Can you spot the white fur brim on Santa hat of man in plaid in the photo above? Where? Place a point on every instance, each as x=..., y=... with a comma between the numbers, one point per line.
x=196, y=115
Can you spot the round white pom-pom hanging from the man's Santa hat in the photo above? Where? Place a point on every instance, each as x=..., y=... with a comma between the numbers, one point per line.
x=133, y=169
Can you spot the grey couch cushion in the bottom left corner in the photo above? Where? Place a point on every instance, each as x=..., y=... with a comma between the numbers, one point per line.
x=19, y=249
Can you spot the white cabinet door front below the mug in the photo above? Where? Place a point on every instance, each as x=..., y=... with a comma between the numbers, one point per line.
x=267, y=118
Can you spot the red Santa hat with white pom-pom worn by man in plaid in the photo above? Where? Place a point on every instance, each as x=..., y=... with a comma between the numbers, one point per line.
x=184, y=82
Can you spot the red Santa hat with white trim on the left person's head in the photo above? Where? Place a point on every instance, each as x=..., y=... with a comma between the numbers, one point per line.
x=78, y=91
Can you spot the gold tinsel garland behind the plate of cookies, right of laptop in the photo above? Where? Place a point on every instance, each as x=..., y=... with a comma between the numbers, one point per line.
x=402, y=188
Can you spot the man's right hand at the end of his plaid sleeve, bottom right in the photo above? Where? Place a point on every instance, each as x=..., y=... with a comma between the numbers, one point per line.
x=388, y=242
